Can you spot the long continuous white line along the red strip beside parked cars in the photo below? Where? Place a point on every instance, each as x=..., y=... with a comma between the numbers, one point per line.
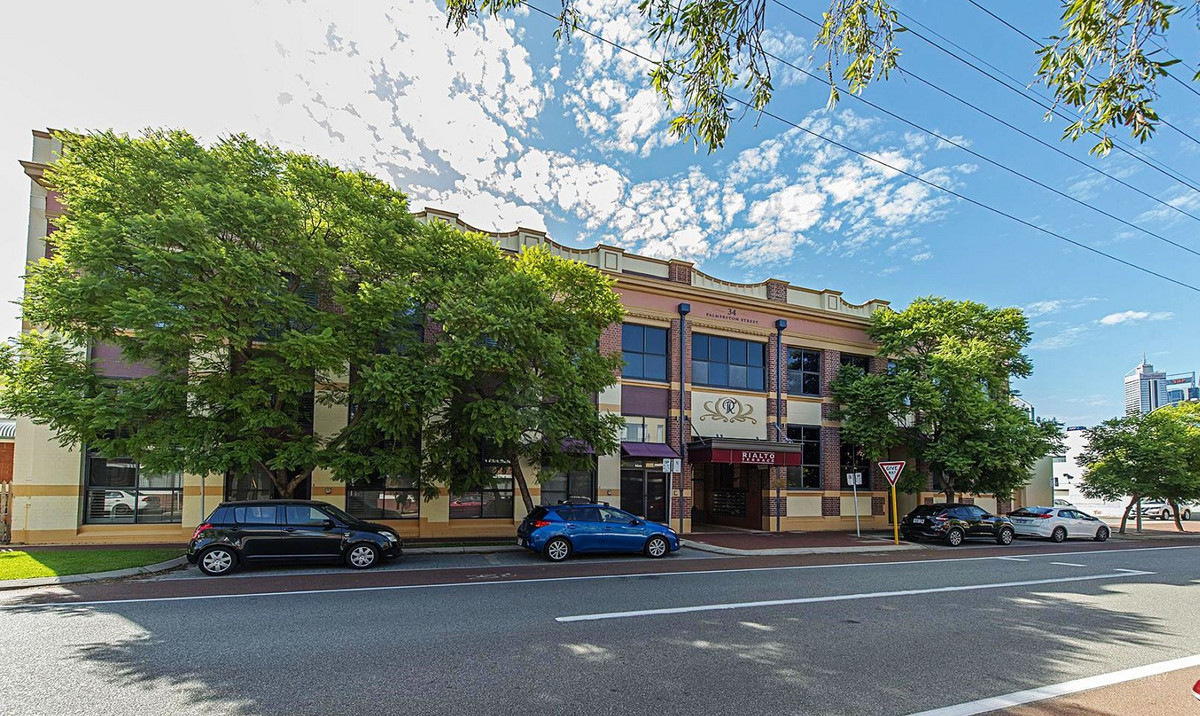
x=579, y=579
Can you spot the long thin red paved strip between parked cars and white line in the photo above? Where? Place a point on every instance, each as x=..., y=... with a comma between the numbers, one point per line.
x=536, y=570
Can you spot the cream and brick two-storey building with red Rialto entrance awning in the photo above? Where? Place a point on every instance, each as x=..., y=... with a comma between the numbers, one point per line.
x=729, y=382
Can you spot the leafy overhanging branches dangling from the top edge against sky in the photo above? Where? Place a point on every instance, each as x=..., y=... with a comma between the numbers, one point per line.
x=1105, y=63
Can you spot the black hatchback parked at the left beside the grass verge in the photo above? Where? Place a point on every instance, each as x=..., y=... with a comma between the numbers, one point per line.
x=274, y=532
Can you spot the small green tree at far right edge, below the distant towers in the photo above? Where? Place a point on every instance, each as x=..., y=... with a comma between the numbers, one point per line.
x=1155, y=456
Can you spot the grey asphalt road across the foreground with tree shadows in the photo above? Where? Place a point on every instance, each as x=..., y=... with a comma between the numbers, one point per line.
x=898, y=634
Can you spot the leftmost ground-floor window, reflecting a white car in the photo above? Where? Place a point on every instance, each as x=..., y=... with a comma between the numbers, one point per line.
x=119, y=491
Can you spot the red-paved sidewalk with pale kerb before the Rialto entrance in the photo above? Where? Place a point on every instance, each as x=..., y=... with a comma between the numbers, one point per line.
x=760, y=544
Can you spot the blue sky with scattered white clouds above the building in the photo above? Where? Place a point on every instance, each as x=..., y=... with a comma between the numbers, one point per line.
x=507, y=127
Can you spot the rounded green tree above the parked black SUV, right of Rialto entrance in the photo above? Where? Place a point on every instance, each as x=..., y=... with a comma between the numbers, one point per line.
x=946, y=399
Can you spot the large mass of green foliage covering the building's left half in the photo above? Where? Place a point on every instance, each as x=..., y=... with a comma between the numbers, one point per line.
x=244, y=276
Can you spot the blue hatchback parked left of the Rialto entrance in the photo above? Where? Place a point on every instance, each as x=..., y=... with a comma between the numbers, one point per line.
x=557, y=532
